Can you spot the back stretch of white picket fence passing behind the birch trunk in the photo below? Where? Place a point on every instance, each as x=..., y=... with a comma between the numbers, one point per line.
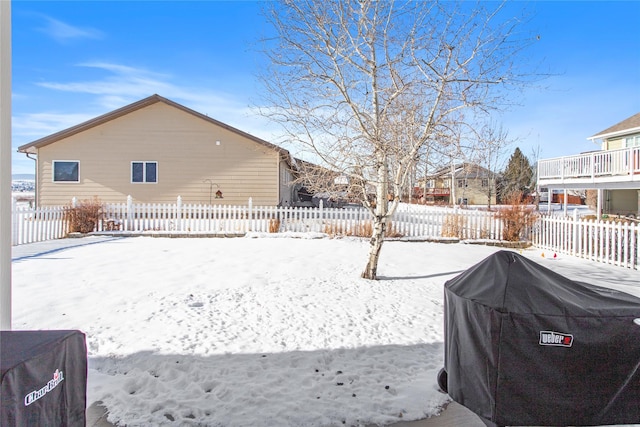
x=408, y=220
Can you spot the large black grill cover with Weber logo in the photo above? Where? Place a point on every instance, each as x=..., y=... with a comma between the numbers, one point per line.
x=527, y=346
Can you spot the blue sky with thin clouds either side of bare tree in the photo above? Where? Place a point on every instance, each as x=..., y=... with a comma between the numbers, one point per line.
x=75, y=60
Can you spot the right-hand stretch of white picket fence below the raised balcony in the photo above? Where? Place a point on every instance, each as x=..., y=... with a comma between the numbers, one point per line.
x=602, y=241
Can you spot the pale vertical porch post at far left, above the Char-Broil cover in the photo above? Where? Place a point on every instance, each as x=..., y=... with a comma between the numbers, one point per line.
x=5, y=165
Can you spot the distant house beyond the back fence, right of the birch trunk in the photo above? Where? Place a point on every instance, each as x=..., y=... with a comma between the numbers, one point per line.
x=471, y=185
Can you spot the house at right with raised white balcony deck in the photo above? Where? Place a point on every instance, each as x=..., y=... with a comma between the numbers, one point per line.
x=613, y=171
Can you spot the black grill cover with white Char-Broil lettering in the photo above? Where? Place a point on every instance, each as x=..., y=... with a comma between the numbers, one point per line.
x=44, y=378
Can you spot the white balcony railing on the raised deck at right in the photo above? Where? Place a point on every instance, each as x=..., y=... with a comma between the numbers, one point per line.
x=612, y=165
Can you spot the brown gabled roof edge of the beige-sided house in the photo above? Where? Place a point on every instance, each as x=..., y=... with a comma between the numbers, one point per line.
x=153, y=99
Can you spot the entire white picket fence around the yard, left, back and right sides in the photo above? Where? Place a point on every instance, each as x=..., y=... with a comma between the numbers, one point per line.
x=601, y=241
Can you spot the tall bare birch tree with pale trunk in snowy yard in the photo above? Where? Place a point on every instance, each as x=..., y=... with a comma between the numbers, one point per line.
x=364, y=85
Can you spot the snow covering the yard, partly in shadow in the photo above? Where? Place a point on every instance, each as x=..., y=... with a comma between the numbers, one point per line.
x=257, y=331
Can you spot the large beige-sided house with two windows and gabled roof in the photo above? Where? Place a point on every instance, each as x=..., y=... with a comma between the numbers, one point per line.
x=156, y=150
